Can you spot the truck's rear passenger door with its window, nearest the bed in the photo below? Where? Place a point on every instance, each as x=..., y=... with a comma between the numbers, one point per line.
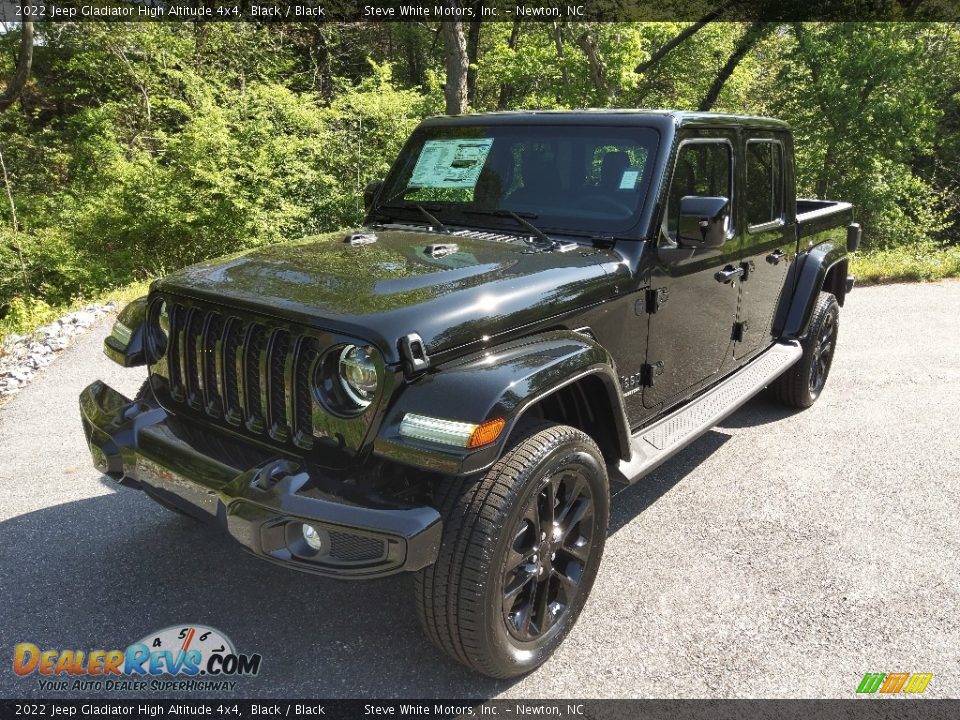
x=768, y=241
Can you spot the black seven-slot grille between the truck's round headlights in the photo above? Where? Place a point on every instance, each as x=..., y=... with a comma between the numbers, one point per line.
x=243, y=372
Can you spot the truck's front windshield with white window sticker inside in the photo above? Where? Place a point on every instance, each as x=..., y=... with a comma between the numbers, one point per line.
x=590, y=179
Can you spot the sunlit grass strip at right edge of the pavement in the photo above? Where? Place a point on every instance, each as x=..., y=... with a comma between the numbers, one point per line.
x=926, y=262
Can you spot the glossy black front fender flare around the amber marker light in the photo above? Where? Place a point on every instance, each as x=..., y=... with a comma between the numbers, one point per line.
x=500, y=382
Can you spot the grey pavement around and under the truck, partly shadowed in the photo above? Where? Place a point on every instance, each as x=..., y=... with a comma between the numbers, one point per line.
x=782, y=555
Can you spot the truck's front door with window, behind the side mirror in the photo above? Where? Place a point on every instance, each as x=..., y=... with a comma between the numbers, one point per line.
x=690, y=333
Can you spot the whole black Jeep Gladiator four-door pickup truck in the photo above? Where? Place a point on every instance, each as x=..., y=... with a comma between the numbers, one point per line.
x=539, y=308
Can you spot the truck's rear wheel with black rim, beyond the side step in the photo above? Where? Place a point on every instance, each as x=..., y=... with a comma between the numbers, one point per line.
x=802, y=384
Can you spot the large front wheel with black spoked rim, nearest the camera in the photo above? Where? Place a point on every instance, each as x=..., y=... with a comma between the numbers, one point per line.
x=520, y=551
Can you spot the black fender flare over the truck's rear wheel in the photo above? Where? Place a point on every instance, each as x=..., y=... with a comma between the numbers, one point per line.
x=805, y=280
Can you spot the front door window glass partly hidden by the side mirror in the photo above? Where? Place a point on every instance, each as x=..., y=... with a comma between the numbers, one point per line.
x=703, y=169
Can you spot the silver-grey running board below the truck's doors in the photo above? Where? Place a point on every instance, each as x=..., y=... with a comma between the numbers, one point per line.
x=654, y=444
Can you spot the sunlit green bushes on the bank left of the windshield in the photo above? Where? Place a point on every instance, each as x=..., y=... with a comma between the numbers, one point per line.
x=185, y=165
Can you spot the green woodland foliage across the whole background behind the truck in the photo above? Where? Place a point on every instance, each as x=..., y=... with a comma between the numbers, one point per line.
x=140, y=148
